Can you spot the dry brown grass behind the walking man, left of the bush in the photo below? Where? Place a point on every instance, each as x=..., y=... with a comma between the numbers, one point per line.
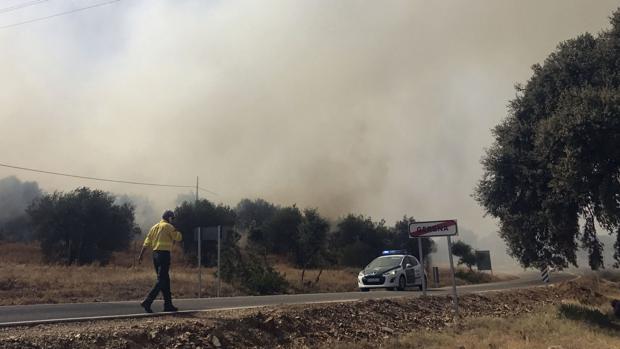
x=24, y=279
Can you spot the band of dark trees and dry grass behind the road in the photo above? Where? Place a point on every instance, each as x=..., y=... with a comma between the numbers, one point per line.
x=79, y=246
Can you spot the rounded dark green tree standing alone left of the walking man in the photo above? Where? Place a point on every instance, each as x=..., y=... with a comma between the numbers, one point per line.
x=82, y=226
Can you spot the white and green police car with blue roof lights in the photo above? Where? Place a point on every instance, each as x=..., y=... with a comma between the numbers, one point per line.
x=394, y=269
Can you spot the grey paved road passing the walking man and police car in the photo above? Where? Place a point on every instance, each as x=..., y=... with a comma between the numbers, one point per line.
x=47, y=313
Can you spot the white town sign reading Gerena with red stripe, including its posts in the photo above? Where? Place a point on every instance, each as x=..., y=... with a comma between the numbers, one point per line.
x=445, y=228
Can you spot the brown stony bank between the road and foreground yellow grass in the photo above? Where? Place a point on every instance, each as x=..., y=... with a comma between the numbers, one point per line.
x=308, y=326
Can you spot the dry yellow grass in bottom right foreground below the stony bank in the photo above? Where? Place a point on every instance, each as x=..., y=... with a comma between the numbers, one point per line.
x=586, y=320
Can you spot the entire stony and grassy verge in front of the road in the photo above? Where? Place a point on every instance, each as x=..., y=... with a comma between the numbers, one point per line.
x=571, y=315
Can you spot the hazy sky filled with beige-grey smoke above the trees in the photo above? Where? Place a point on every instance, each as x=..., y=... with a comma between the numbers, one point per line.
x=377, y=108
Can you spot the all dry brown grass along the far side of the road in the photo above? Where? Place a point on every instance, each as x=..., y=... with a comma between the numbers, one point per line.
x=26, y=279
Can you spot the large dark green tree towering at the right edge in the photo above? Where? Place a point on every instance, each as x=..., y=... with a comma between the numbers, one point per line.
x=556, y=157
